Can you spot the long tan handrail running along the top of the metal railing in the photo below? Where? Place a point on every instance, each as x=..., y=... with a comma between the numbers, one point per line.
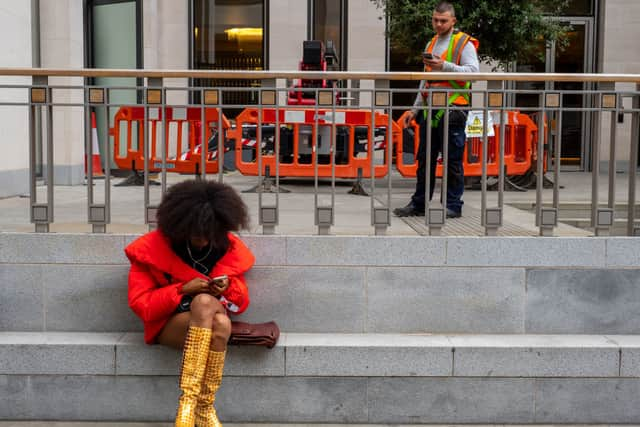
x=328, y=75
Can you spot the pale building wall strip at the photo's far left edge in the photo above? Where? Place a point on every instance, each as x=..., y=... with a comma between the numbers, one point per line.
x=15, y=51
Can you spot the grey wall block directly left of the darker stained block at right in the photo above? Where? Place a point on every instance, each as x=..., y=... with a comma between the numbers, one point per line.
x=443, y=300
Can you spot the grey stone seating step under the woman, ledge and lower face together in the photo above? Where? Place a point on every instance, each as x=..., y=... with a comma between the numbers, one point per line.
x=331, y=378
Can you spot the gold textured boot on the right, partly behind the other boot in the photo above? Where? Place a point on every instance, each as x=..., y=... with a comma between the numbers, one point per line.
x=206, y=415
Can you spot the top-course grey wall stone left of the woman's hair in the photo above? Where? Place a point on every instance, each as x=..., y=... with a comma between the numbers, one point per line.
x=59, y=248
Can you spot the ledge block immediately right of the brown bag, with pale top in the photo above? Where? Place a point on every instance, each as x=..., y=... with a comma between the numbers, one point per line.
x=368, y=355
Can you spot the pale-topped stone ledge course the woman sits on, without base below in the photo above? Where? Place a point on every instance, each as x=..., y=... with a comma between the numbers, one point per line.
x=334, y=355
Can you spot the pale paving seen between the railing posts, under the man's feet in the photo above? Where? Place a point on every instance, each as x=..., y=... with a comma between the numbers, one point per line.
x=296, y=214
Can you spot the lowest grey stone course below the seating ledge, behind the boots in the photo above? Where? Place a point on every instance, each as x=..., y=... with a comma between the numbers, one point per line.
x=388, y=400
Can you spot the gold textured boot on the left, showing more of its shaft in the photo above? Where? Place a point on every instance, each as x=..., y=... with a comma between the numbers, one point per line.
x=194, y=362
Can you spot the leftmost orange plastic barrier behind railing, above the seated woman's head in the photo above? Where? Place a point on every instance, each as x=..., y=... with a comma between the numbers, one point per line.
x=182, y=135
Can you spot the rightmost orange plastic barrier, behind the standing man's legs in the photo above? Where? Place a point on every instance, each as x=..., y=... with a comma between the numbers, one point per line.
x=520, y=149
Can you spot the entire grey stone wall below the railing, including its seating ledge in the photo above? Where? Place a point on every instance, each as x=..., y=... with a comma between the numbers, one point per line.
x=68, y=357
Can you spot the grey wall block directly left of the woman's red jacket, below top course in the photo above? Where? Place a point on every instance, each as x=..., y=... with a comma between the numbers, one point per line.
x=88, y=298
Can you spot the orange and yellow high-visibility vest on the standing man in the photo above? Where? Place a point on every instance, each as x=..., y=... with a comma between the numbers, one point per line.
x=453, y=53
